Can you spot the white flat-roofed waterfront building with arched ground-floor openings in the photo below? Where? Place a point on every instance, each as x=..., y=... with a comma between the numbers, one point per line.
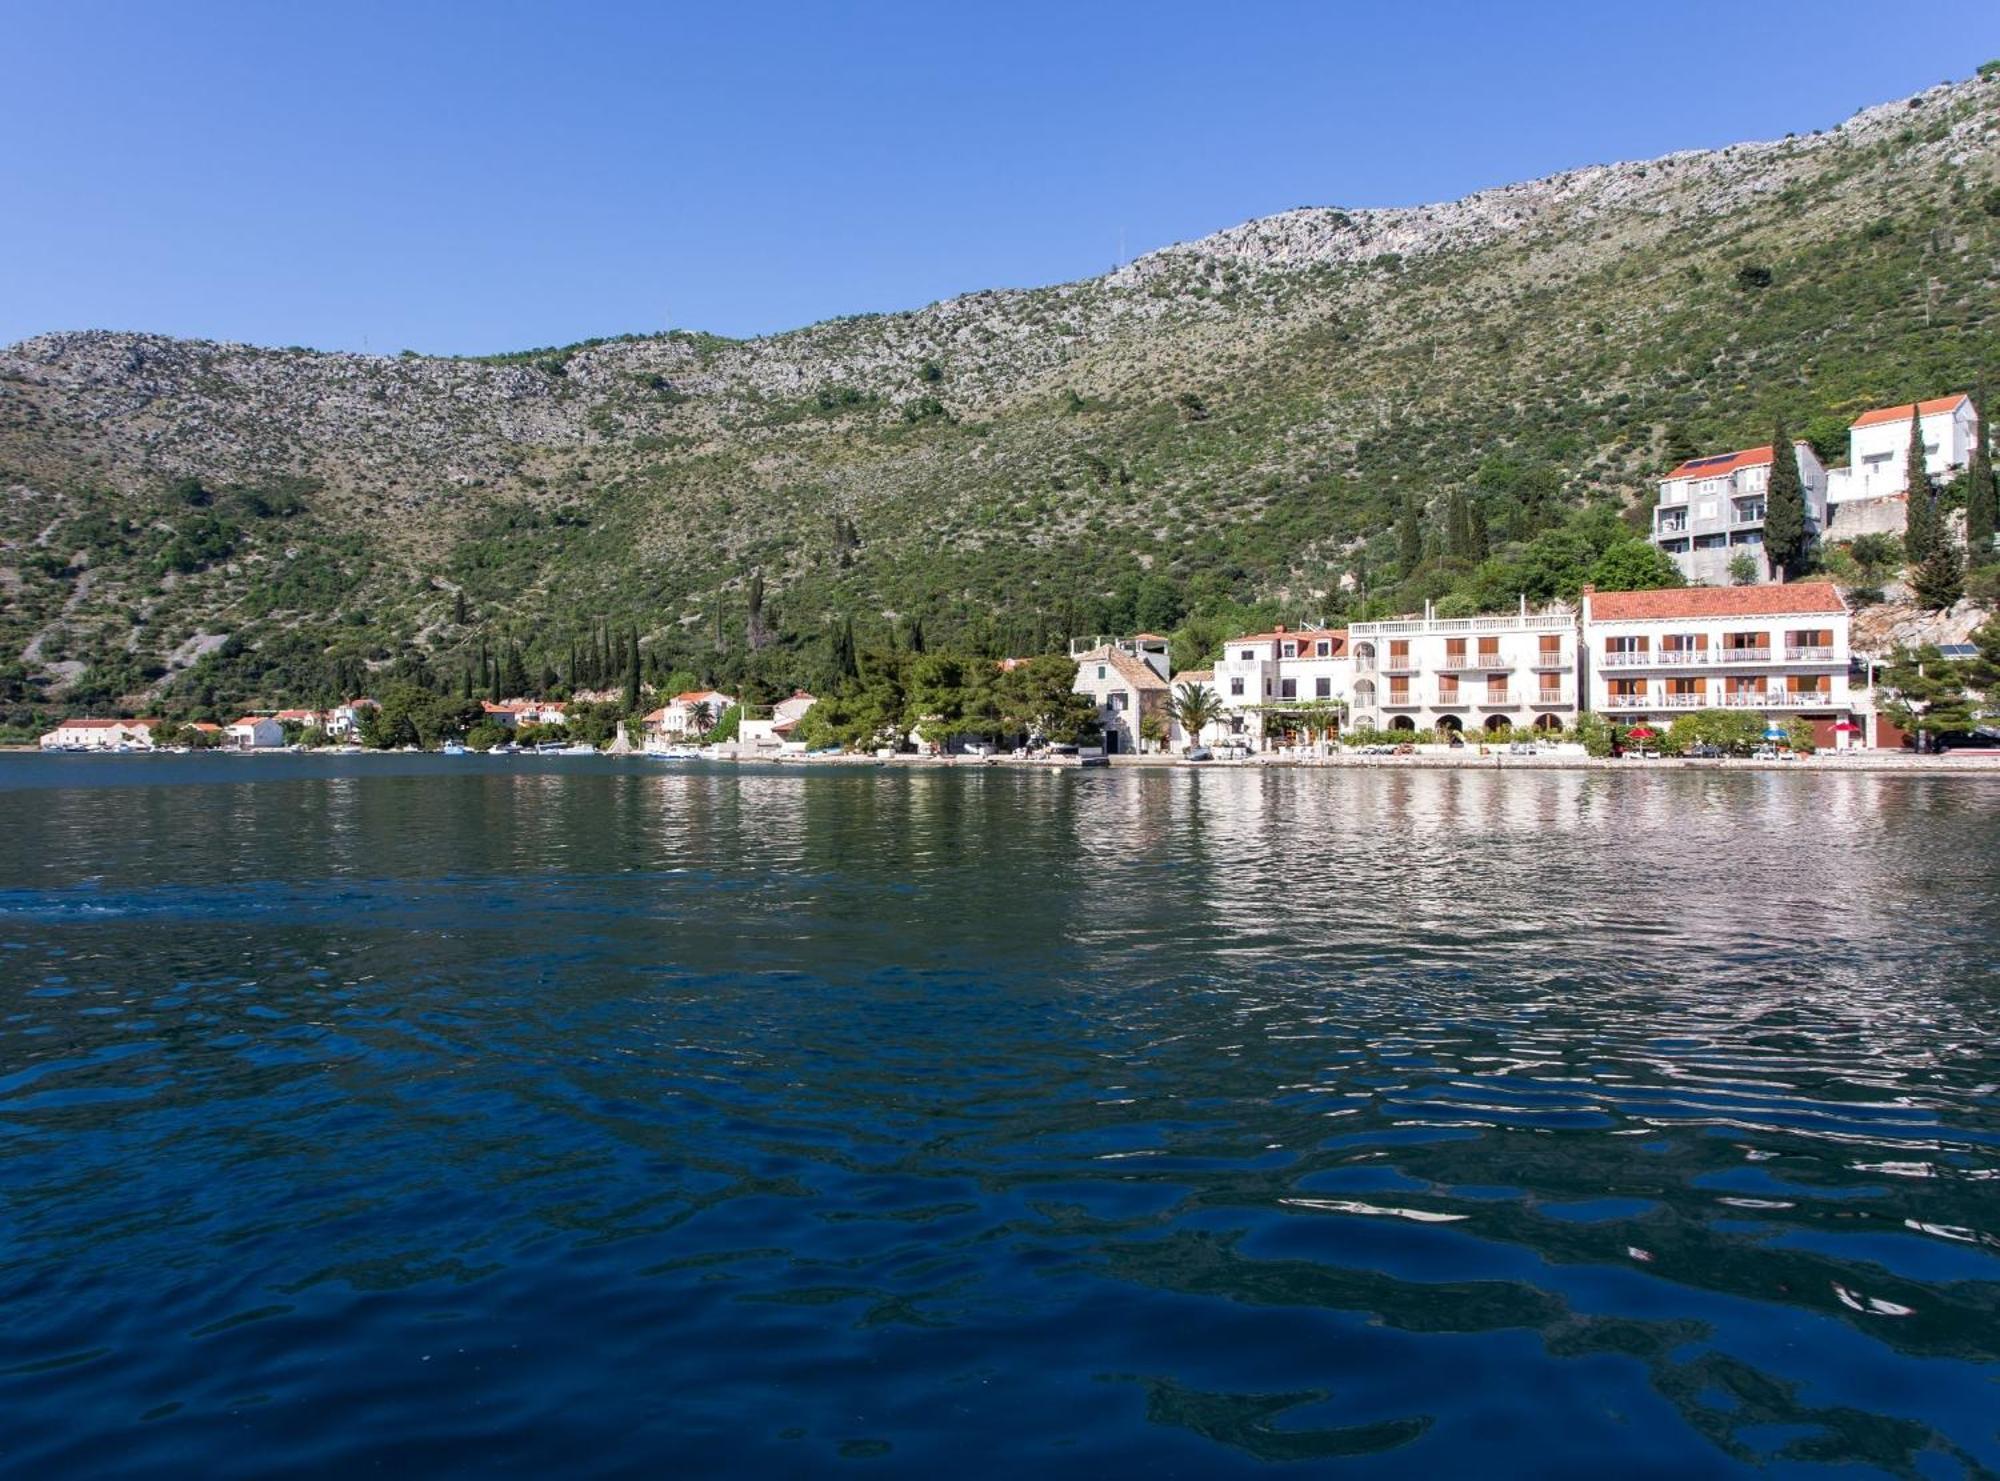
x=1467, y=673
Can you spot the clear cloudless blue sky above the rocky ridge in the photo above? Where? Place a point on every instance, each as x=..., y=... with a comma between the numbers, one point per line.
x=487, y=177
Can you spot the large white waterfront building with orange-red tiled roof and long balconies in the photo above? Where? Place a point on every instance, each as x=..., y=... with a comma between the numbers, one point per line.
x=1781, y=651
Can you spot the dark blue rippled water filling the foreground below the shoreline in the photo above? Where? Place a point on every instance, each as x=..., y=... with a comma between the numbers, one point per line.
x=607, y=1116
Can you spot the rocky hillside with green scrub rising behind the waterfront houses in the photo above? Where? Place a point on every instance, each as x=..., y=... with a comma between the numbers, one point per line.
x=1223, y=425
